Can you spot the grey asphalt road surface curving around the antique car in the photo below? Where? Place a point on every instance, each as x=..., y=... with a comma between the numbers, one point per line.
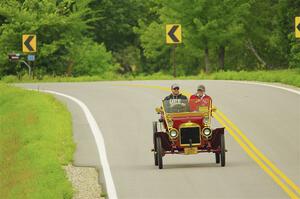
x=269, y=117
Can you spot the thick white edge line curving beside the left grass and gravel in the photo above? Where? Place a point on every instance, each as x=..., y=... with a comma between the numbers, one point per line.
x=110, y=187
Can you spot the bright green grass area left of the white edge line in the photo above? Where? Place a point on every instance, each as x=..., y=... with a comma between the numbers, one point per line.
x=35, y=141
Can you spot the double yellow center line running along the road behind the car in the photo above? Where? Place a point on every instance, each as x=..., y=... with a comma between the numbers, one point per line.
x=230, y=126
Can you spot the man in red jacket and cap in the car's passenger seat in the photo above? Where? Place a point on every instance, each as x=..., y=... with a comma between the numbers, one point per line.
x=200, y=99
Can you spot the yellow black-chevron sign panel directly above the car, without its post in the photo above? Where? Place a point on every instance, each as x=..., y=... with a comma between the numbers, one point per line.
x=173, y=34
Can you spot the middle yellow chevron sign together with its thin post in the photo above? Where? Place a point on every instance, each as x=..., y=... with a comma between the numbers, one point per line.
x=173, y=36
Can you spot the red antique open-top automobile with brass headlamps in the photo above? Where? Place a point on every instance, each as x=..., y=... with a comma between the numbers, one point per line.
x=185, y=128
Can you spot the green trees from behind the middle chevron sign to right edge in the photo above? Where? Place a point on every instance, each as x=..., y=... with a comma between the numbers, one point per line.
x=235, y=35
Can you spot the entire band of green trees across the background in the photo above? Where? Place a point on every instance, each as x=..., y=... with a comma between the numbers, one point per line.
x=217, y=35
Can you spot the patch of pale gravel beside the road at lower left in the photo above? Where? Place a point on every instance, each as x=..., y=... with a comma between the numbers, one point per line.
x=84, y=181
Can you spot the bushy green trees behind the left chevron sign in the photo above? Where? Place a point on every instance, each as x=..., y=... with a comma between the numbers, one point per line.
x=61, y=29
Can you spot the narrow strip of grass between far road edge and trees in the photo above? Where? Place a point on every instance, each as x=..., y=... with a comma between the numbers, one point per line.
x=289, y=76
